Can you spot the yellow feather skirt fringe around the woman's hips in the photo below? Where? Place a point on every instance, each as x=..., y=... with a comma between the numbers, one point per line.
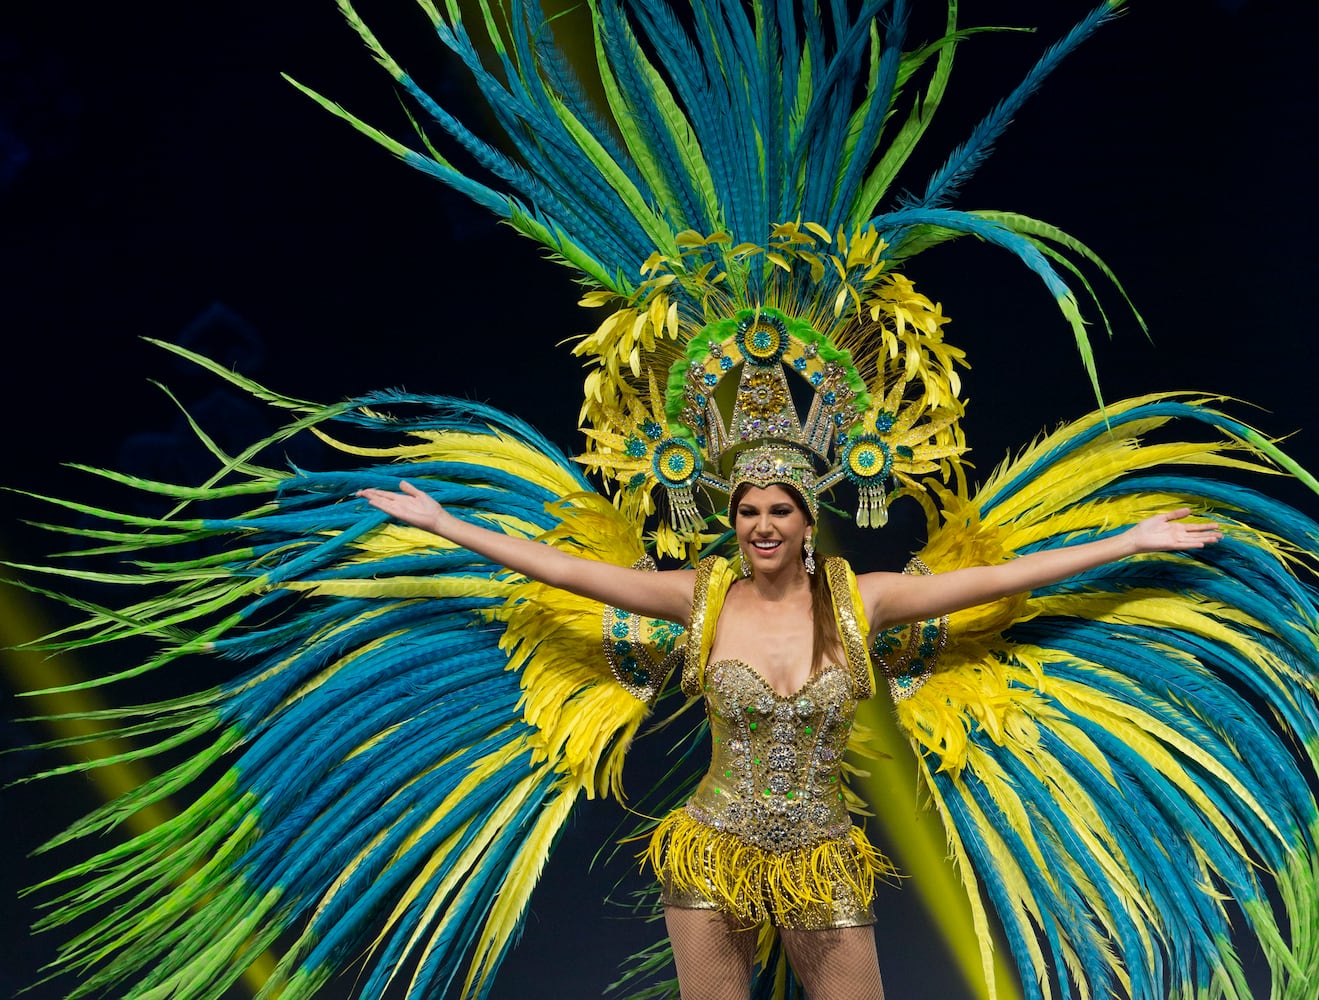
x=830, y=885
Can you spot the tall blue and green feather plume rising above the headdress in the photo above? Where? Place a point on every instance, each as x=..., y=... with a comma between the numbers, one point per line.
x=733, y=122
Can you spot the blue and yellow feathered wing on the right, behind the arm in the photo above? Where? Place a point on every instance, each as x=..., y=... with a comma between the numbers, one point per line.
x=1126, y=762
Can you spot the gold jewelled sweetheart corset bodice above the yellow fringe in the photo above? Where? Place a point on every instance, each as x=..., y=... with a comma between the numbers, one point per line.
x=775, y=776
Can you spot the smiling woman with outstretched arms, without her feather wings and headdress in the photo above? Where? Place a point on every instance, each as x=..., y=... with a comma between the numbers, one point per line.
x=768, y=625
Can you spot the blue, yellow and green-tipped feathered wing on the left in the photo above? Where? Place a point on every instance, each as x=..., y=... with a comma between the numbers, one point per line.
x=410, y=734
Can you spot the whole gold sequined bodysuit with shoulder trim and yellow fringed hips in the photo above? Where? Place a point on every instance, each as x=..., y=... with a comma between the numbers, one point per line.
x=767, y=836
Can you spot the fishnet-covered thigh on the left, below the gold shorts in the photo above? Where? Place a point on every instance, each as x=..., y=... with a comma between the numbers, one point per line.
x=713, y=954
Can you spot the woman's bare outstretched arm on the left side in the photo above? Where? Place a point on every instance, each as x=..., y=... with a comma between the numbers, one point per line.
x=665, y=596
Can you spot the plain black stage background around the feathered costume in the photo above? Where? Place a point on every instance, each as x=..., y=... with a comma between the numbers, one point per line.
x=159, y=179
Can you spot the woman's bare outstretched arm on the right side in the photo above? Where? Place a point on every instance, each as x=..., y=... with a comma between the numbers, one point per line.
x=896, y=598
